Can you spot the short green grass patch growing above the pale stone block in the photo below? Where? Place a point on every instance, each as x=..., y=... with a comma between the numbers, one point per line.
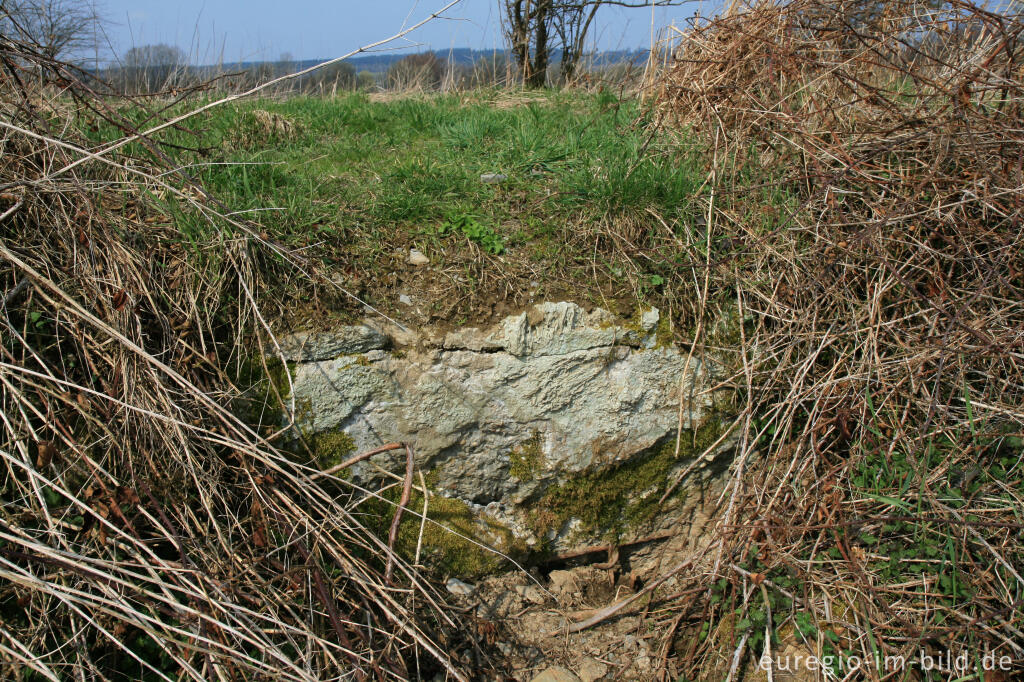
x=354, y=183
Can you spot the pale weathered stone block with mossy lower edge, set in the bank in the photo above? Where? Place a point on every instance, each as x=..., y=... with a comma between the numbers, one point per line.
x=526, y=420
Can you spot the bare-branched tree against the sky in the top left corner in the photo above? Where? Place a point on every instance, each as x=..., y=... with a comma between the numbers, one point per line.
x=59, y=29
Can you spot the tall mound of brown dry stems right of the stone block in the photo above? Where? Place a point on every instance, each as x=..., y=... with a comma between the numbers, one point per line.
x=868, y=198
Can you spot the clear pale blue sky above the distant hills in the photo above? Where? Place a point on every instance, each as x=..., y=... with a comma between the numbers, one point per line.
x=232, y=30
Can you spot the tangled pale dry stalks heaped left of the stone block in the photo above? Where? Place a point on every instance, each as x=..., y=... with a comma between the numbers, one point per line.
x=147, y=528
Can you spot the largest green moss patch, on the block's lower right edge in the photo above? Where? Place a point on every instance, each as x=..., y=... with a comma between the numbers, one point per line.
x=621, y=500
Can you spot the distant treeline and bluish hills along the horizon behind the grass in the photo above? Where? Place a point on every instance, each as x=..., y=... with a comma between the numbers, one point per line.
x=154, y=69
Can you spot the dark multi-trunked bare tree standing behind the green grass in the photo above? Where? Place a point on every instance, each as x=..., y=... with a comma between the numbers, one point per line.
x=537, y=29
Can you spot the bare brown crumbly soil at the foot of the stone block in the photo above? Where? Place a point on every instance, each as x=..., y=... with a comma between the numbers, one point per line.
x=527, y=618
